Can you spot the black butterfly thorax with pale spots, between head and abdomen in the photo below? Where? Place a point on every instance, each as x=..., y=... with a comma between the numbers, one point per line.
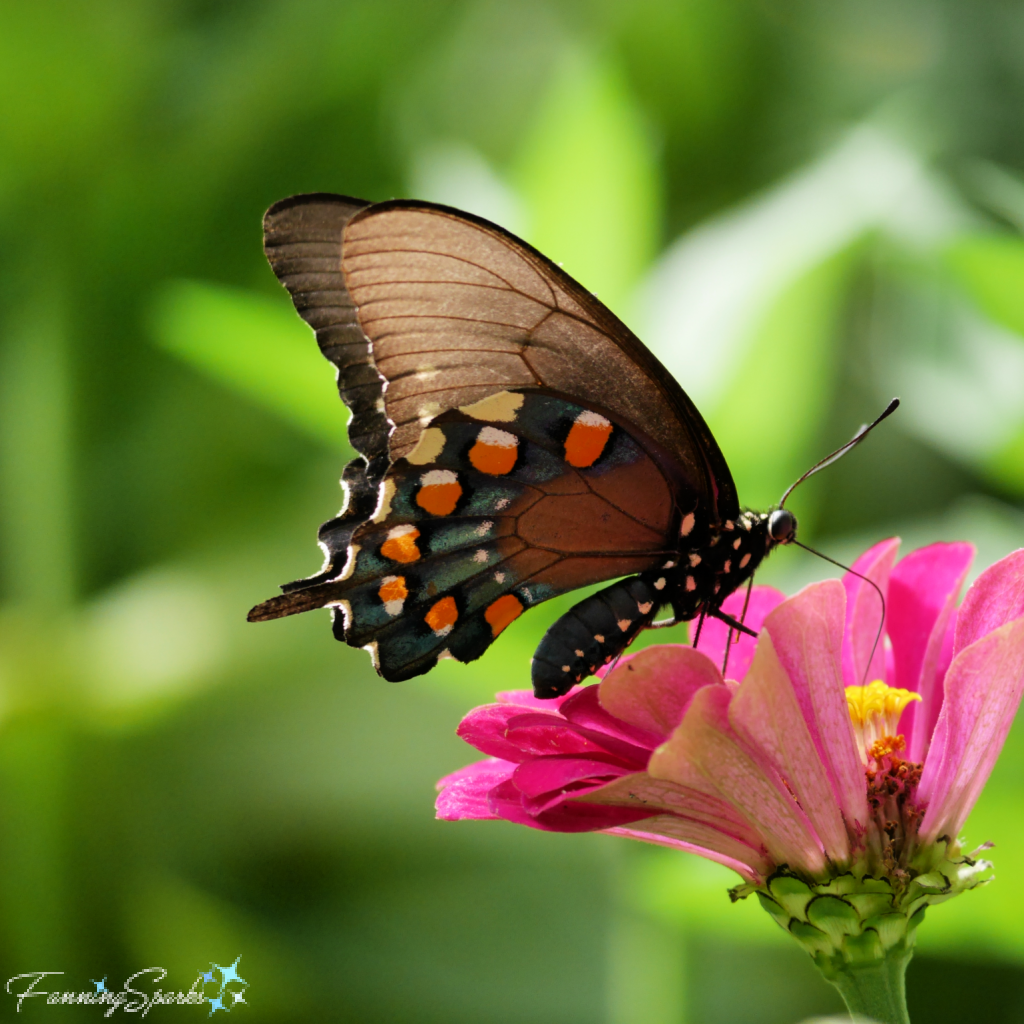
x=712, y=564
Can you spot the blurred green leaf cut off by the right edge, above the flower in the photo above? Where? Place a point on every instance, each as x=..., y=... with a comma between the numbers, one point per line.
x=992, y=269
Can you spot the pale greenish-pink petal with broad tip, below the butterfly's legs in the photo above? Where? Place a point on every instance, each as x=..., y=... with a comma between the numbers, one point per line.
x=707, y=744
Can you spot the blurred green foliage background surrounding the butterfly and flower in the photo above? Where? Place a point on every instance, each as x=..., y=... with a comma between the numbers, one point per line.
x=803, y=208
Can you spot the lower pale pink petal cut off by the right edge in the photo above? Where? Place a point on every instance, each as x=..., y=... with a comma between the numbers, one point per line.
x=984, y=691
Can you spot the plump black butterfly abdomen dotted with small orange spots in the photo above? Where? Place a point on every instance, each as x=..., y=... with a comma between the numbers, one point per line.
x=591, y=634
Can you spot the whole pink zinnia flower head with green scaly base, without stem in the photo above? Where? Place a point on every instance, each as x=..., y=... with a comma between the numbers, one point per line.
x=839, y=803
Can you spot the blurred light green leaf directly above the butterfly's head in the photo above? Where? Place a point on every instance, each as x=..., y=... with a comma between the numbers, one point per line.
x=781, y=396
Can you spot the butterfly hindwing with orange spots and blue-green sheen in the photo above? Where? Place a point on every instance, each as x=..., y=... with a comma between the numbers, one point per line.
x=482, y=521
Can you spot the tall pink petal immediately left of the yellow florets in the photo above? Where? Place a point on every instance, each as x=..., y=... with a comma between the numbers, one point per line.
x=807, y=635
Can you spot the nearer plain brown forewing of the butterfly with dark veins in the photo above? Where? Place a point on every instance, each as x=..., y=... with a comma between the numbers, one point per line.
x=457, y=309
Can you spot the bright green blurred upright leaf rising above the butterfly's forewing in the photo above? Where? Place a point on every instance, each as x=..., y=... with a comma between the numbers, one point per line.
x=589, y=179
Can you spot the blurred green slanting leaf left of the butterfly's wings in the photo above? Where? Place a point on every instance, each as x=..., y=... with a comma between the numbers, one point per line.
x=257, y=348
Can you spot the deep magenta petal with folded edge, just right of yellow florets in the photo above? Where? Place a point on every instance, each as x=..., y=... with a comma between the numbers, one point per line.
x=924, y=588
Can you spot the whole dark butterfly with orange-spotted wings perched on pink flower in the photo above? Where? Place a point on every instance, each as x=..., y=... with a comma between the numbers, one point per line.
x=517, y=442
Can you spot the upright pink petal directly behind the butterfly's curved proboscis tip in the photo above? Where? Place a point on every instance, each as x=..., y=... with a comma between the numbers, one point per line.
x=864, y=615
